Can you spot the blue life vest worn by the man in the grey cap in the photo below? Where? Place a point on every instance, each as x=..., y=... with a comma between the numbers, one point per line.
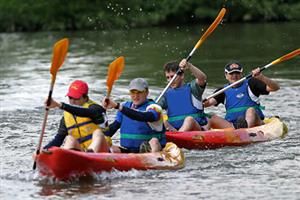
x=133, y=133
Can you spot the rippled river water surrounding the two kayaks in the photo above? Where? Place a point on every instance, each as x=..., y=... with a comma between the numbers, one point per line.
x=267, y=170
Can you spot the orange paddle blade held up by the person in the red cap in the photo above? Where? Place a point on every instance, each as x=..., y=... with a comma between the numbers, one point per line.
x=60, y=50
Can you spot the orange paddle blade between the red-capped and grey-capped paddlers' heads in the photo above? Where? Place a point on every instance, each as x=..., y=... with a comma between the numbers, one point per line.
x=114, y=72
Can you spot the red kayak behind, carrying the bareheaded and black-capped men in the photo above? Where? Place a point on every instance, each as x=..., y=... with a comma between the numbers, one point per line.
x=217, y=138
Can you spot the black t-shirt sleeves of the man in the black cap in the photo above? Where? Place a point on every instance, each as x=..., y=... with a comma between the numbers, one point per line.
x=256, y=86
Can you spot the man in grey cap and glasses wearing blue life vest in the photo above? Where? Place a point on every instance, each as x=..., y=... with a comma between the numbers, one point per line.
x=139, y=120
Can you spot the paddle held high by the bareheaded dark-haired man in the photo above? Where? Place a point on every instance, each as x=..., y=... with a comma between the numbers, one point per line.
x=210, y=29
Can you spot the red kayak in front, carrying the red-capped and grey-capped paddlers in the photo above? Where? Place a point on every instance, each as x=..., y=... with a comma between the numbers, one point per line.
x=63, y=164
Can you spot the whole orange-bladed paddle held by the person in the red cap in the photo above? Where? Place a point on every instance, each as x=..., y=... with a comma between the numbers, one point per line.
x=60, y=49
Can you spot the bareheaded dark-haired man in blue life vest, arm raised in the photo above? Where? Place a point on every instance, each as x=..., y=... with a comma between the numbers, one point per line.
x=183, y=102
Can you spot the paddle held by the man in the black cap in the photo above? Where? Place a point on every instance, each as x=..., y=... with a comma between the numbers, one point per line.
x=279, y=60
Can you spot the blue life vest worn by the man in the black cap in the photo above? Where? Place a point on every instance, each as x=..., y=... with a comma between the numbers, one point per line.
x=238, y=100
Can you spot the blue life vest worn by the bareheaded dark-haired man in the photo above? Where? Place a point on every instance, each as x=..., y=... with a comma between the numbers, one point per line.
x=180, y=105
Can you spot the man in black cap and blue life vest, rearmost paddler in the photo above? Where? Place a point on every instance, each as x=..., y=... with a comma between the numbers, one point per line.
x=242, y=104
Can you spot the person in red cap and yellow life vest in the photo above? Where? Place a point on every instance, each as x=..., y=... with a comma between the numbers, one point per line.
x=82, y=123
